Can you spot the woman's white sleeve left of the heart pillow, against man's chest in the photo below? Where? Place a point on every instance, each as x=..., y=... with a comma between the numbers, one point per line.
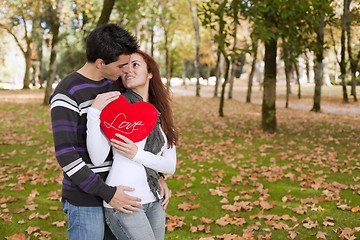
x=96, y=142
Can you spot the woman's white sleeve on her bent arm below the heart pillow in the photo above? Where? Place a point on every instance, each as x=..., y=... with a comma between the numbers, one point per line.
x=164, y=163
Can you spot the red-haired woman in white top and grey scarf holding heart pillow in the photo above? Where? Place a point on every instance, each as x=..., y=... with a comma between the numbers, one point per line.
x=137, y=164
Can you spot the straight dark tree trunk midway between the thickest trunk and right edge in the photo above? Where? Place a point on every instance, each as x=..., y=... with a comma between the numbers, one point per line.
x=319, y=66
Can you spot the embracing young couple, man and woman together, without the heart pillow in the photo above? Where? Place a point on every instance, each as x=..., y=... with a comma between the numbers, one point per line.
x=134, y=196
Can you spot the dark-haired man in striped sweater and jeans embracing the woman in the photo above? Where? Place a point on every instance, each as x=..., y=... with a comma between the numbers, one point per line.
x=108, y=50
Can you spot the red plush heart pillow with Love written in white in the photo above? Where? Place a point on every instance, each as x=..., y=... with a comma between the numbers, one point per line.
x=134, y=121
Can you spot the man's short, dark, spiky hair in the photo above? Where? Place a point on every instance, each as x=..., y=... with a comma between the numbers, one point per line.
x=108, y=42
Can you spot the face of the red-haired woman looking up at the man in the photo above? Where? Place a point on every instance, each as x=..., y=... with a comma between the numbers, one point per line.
x=135, y=76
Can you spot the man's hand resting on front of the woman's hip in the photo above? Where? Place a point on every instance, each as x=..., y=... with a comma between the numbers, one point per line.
x=124, y=202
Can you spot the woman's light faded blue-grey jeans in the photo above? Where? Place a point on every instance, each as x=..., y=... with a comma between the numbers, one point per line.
x=148, y=223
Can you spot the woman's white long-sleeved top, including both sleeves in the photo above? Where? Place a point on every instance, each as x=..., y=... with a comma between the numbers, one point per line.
x=125, y=171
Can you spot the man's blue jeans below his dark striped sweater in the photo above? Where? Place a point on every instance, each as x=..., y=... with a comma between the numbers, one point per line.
x=86, y=223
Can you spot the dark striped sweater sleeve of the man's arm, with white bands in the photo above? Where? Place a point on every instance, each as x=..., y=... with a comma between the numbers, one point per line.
x=69, y=150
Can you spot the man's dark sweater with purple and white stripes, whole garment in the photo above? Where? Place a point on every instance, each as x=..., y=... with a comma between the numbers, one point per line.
x=83, y=183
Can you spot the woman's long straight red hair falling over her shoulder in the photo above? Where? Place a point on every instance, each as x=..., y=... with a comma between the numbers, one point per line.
x=159, y=97
